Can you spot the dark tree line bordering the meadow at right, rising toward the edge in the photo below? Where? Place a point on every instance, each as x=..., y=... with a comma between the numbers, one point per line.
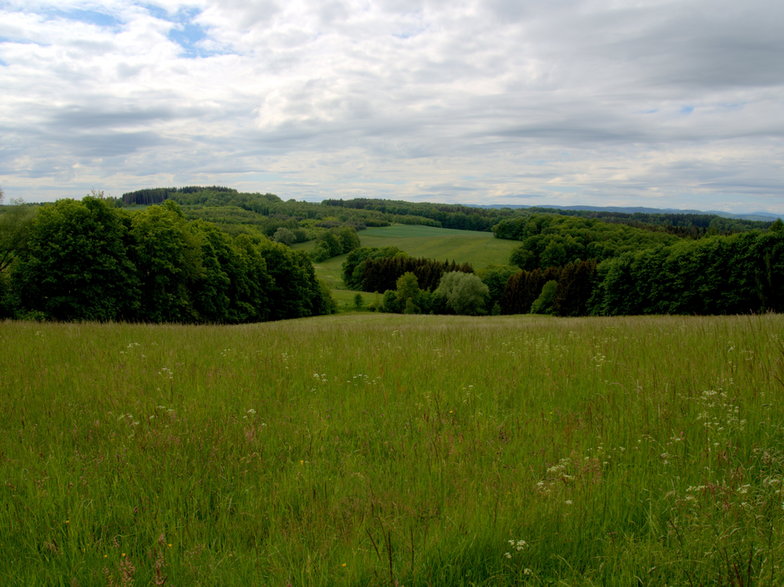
x=735, y=274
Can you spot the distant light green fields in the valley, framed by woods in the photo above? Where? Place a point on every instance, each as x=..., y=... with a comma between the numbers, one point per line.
x=479, y=249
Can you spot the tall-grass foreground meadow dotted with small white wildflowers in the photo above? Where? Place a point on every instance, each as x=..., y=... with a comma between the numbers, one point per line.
x=367, y=449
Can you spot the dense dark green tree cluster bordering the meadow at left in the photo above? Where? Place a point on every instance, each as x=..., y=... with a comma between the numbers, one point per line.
x=87, y=260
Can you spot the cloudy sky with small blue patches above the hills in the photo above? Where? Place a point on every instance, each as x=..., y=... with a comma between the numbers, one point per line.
x=656, y=103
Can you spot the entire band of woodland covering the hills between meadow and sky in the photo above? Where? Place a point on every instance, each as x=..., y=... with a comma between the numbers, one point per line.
x=216, y=255
